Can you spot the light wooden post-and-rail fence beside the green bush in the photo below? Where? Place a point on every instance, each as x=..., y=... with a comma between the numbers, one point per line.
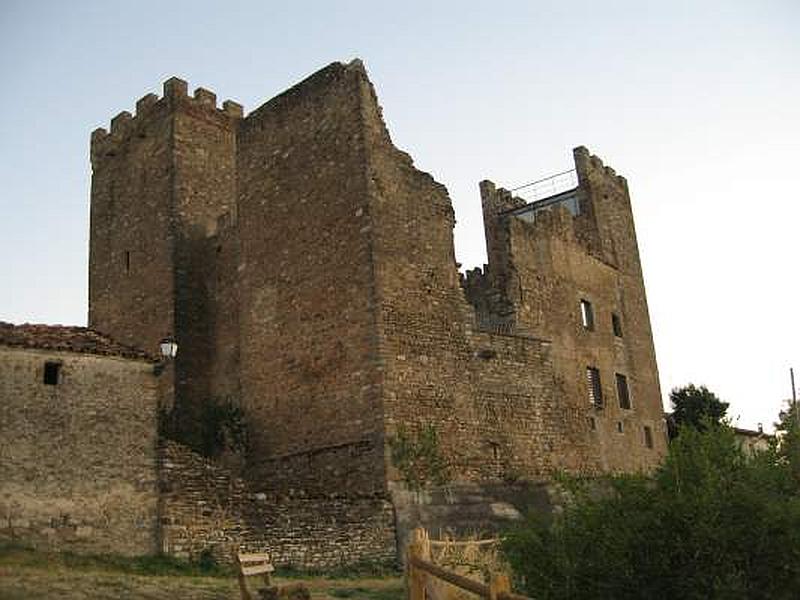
x=420, y=570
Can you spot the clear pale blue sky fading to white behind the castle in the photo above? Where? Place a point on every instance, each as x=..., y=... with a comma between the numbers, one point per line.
x=696, y=103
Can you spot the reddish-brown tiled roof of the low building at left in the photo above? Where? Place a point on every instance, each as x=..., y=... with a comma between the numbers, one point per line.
x=65, y=338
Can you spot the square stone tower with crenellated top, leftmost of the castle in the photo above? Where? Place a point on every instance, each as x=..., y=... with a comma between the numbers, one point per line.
x=160, y=181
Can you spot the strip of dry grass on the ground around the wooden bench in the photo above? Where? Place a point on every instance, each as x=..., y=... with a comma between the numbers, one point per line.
x=26, y=573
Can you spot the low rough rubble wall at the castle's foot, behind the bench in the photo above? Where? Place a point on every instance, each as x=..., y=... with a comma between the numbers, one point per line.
x=206, y=507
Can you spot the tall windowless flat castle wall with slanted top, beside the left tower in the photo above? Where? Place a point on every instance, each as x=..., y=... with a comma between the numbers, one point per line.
x=308, y=354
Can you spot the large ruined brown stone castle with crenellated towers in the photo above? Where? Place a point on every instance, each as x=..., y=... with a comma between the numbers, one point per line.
x=307, y=271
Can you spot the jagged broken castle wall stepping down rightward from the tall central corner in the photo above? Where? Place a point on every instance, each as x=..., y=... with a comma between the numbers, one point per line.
x=489, y=396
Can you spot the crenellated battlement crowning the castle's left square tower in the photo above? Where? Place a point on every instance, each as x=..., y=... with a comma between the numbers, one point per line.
x=106, y=142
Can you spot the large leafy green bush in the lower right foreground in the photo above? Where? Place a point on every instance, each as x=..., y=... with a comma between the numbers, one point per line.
x=710, y=523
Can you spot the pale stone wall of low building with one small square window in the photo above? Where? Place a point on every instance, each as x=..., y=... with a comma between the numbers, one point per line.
x=78, y=459
